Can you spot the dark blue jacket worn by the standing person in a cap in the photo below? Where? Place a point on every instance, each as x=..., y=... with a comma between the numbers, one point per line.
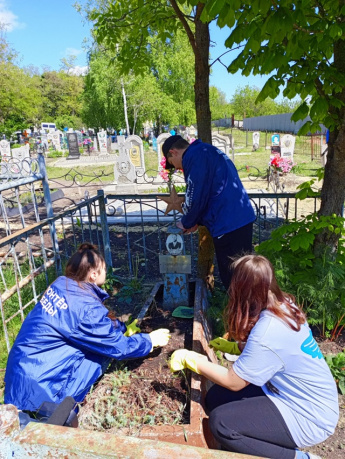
x=215, y=196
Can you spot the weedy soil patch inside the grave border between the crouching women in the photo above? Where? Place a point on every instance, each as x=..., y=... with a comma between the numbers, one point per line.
x=140, y=392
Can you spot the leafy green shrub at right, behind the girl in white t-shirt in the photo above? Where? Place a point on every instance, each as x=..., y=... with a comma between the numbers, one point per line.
x=318, y=282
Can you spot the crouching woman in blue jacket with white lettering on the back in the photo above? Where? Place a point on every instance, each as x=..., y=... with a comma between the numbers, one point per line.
x=67, y=340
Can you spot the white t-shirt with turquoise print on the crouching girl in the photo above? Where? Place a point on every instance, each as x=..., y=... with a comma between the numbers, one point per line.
x=294, y=364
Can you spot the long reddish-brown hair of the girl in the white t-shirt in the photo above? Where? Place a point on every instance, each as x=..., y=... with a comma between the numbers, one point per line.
x=254, y=288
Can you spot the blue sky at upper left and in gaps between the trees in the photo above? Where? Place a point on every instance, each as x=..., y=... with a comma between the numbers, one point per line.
x=45, y=31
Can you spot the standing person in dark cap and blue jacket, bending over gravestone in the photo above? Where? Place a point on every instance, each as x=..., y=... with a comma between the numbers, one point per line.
x=215, y=198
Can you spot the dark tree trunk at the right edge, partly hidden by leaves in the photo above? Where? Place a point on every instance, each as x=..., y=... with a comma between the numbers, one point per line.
x=333, y=188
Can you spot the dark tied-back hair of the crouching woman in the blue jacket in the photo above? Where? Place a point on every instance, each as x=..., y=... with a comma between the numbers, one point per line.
x=87, y=257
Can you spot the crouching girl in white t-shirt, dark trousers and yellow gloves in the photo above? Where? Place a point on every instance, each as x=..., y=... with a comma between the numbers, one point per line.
x=279, y=395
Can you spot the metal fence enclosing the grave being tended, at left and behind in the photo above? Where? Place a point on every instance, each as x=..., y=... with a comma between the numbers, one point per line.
x=37, y=240
